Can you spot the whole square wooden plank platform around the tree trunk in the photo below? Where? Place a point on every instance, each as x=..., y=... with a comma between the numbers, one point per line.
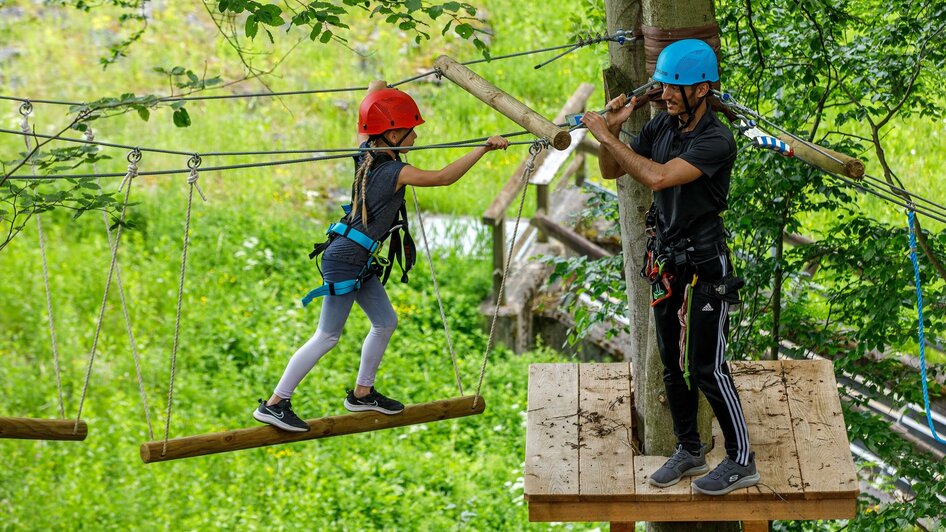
x=581, y=465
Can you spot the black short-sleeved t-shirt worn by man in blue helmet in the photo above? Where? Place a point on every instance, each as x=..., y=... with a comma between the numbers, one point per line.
x=685, y=210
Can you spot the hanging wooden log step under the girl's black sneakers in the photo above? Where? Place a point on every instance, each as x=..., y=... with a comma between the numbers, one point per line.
x=262, y=436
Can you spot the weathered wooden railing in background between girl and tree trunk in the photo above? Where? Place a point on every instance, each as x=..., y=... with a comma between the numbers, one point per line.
x=548, y=165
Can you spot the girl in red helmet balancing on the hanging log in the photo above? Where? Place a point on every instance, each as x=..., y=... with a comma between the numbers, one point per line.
x=386, y=119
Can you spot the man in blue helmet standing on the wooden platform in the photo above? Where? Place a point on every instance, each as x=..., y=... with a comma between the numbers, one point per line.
x=686, y=157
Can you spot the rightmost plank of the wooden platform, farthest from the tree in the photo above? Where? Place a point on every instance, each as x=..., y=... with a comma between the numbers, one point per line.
x=824, y=454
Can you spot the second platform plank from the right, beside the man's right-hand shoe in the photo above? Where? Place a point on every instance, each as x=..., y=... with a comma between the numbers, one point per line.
x=764, y=399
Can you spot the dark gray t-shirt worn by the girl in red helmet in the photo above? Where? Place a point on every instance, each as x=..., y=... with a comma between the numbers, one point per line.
x=383, y=200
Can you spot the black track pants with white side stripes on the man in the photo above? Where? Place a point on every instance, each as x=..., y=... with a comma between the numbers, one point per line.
x=708, y=325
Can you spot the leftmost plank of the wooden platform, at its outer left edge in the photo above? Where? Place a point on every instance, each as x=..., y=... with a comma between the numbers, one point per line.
x=551, y=468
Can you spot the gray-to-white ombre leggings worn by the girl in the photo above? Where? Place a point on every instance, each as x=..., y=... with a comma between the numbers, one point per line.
x=373, y=299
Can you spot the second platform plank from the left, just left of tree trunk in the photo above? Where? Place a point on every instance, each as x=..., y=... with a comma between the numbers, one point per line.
x=606, y=455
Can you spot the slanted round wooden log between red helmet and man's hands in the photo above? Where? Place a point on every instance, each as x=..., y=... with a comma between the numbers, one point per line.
x=496, y=98
